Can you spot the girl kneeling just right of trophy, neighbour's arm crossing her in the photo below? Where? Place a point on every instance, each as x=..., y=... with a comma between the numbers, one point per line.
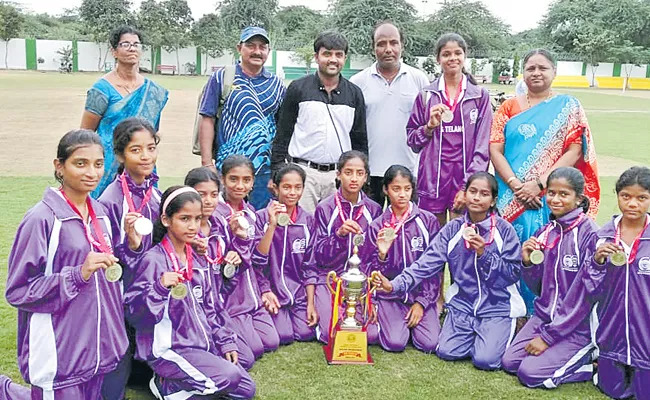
x=410, y=232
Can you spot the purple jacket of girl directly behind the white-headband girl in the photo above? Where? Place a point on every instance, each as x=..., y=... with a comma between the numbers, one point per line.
x=113, y=199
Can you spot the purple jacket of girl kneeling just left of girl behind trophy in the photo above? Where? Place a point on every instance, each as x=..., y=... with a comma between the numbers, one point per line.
x=281, y=270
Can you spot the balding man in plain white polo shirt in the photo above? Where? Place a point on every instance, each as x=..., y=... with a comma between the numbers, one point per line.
x=389, y=88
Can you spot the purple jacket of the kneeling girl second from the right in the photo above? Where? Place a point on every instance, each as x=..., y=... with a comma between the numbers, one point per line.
x=552, y=279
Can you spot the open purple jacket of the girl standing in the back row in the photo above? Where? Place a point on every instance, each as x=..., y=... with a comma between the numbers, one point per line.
x=476, y=122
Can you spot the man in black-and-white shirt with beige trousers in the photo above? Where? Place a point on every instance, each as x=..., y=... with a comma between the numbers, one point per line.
x=323, y=116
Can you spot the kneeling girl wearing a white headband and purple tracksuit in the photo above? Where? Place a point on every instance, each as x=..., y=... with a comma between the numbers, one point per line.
x=171, y=305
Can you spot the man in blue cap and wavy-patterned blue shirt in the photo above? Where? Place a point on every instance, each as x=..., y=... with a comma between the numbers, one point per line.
x=246, y=124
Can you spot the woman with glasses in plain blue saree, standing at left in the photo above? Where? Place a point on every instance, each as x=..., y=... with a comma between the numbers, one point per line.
x=120, y=94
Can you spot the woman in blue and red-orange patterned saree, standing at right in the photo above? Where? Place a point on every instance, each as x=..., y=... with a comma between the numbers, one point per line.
x=532, y=135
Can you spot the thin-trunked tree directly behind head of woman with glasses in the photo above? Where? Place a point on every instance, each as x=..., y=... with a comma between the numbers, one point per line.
x=100, y=17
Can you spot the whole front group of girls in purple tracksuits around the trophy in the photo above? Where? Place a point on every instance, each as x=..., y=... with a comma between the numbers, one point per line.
x=214, y=284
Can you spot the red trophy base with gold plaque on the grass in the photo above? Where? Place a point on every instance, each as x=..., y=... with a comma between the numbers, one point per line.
x=348, y=346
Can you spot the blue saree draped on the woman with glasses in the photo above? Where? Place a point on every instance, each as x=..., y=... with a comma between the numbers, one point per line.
x=147, y=102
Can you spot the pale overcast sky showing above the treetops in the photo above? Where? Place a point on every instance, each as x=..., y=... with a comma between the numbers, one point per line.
x=525, y=15
